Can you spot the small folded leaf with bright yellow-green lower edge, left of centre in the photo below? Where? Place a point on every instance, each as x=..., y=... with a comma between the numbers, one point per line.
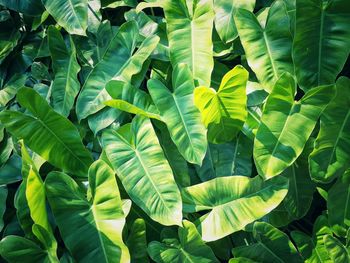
x=130, y=99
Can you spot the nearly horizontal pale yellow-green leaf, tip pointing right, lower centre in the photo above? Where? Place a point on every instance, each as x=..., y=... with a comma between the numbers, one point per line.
x=233, y=201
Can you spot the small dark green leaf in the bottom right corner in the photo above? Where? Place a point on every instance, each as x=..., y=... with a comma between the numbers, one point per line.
x=336, y=250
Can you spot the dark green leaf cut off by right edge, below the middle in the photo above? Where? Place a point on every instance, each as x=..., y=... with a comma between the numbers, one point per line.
x=338, y=205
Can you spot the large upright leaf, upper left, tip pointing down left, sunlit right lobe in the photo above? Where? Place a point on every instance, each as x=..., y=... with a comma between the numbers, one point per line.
x=119, y=62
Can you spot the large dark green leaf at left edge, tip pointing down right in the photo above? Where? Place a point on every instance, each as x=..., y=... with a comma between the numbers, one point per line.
x=47, y=133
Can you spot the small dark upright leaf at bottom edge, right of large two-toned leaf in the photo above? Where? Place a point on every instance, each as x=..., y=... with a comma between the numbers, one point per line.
x=137, y=242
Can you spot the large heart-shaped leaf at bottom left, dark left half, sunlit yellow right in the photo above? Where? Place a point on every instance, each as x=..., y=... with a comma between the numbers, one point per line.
x=91, y=228
